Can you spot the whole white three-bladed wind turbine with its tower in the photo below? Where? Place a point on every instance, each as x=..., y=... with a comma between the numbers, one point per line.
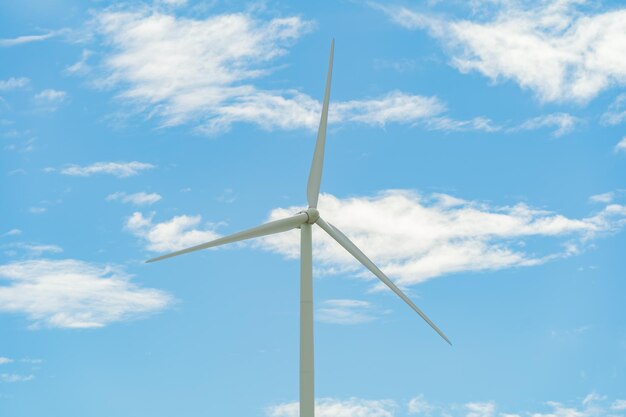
x=304, y=220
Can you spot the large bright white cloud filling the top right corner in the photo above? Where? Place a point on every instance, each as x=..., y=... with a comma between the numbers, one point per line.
x=554, y=48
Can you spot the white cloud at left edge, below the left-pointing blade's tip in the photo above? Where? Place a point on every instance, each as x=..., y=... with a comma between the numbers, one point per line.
x=74, y=294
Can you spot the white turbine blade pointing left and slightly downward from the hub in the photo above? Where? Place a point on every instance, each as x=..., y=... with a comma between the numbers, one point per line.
x=270, y=228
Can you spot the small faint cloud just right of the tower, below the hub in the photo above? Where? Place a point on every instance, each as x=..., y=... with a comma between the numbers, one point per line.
x=346, y=312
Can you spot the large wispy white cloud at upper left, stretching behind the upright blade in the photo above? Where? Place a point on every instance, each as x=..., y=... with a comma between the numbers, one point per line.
x=171, y=67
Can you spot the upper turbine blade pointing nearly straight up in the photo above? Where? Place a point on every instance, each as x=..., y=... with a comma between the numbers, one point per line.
x=315, y=175
